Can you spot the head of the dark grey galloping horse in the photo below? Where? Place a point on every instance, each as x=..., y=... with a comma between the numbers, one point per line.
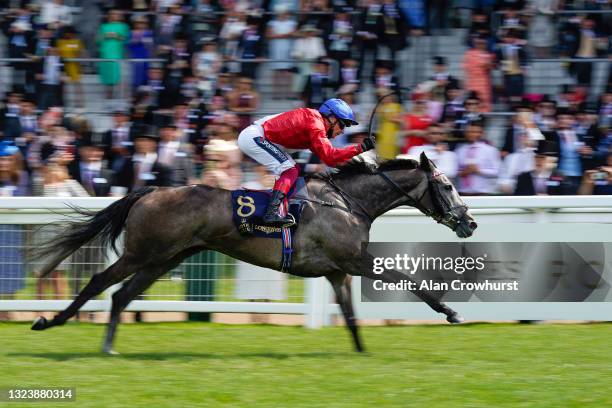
x=443, y=201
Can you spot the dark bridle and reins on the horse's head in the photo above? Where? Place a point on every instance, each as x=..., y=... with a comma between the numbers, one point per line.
x=446, y=214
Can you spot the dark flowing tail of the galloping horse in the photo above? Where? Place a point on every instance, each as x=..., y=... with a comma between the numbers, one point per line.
x=105, y=224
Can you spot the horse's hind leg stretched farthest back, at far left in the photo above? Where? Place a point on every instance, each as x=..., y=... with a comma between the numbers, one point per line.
x=98, y=283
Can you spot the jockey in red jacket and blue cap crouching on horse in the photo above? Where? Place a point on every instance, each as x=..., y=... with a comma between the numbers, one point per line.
x=266, y=139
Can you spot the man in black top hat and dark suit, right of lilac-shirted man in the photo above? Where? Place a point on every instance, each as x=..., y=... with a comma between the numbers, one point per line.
x=544, y=179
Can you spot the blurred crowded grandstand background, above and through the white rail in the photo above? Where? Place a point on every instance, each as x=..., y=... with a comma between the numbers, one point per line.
x=102, y=97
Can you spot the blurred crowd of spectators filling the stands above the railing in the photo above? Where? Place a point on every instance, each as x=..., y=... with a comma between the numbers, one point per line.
x=188, y=106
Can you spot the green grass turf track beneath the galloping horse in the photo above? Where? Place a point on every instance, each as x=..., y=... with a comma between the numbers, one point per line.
x=210, y=365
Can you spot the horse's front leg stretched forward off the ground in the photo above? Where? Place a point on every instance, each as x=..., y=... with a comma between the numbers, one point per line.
x=363, y=267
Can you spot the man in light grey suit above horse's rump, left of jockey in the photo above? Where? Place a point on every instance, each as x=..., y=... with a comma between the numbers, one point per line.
x=175, y=155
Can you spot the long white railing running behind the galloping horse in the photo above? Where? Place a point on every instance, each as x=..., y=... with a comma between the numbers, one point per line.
x=500, y=219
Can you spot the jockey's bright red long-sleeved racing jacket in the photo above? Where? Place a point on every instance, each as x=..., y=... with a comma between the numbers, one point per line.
x=304, y=129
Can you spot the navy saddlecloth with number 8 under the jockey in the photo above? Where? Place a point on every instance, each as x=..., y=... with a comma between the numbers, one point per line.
x=249, y=207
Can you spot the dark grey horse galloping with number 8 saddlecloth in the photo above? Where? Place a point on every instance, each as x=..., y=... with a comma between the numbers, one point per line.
x=163, y=226
